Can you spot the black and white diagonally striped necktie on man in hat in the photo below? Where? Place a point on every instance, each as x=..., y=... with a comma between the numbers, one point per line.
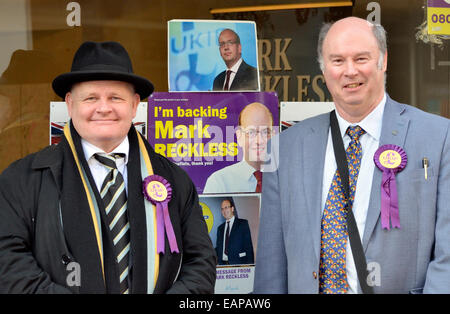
x=115, y=200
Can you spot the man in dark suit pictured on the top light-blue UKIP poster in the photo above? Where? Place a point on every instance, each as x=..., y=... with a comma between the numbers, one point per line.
x=239, y=76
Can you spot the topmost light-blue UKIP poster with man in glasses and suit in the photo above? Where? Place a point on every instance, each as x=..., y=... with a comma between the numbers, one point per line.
x=212, y=55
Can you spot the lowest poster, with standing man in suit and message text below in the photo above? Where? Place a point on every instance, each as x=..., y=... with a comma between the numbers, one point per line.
x=238, y=216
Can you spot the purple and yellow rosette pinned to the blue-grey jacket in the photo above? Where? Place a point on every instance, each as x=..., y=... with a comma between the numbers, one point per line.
x=390, y=159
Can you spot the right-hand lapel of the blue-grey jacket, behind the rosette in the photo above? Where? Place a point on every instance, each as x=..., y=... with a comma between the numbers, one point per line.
x=393, y=131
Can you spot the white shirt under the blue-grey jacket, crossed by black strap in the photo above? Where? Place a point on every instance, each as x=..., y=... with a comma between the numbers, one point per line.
x=369, y=144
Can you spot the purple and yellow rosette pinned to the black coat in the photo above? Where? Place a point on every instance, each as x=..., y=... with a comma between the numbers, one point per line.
x=158, y=191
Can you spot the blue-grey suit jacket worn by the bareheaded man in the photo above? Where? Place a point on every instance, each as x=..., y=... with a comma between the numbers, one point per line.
x=409, y=259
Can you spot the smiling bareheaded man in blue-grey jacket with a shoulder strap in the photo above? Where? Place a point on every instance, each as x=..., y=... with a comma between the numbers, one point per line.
x=413, y=257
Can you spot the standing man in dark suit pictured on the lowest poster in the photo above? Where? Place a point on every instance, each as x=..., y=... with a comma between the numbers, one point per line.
x=234, y=242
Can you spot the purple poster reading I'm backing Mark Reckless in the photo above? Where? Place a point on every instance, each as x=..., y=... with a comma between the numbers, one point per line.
x=218, y=138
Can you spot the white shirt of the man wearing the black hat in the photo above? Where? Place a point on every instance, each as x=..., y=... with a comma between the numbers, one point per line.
x=99, y=171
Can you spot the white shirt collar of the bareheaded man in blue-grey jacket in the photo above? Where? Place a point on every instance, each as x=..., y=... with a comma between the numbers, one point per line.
x=371, y=123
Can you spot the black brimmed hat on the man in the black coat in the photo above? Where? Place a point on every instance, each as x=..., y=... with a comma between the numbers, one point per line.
x=101, y=61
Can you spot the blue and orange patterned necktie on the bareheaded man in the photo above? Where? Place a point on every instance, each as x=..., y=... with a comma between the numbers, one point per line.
x=332, y=268
